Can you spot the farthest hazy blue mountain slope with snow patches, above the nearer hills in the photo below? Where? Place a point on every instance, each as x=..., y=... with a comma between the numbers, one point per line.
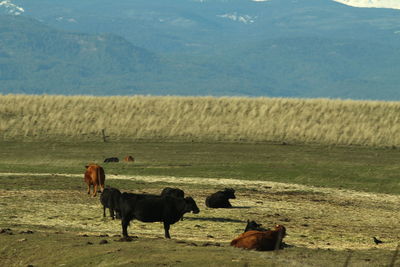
x=175, y=26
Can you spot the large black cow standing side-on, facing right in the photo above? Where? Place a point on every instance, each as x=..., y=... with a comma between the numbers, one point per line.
x=153, y=208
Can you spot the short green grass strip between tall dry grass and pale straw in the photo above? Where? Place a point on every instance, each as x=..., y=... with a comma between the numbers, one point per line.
x=357, y=168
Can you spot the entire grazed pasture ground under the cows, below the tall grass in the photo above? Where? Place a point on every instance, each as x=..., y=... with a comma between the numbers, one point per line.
x=332, y=200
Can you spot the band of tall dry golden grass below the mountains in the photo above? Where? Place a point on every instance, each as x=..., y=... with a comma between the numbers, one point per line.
x=372, y=123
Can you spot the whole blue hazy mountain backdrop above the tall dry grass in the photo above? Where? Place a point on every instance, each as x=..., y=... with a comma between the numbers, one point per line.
x=313, y=48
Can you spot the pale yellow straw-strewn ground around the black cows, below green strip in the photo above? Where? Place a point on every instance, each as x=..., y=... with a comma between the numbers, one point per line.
x=315, y=217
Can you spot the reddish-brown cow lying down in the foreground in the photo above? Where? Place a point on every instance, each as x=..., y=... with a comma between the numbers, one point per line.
x=261, y=240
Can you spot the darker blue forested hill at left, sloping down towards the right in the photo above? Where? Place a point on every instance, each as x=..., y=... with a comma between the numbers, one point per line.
x=35, y=58
